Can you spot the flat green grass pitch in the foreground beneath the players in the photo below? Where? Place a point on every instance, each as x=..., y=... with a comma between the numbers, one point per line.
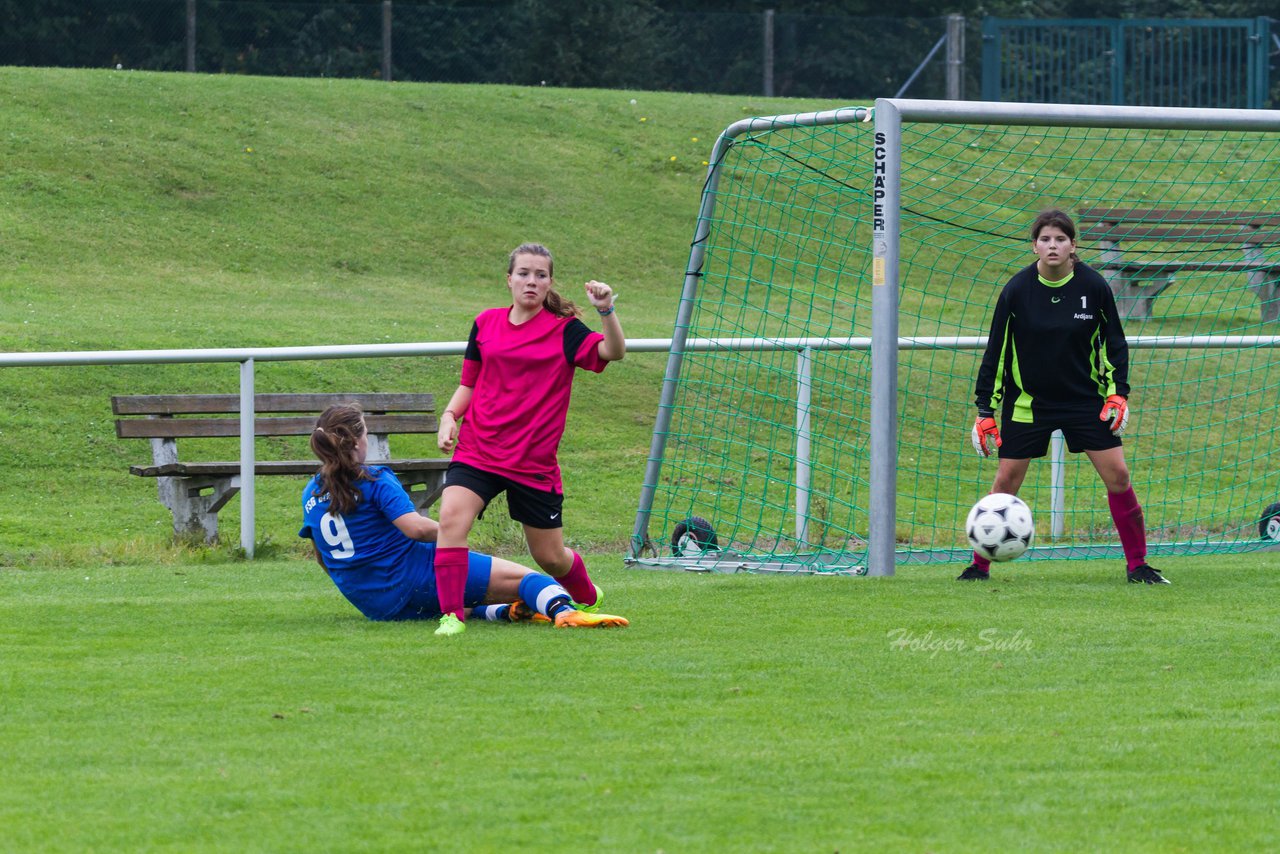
x=250, y=709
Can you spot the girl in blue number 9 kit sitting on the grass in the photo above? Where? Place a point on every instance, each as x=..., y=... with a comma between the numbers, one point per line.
x=381, y=552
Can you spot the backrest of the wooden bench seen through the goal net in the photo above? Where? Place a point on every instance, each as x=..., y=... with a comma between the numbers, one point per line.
x=1116, y=225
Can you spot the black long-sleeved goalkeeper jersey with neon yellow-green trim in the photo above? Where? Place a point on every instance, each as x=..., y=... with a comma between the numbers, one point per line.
x=1054, y=349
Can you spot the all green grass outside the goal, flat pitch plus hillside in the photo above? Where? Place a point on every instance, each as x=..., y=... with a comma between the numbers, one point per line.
x=170, y=697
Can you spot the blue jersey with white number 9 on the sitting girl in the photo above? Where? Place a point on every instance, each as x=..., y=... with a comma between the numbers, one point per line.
x=371, y=560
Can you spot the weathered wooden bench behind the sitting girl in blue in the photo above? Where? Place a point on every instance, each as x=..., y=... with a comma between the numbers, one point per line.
x=196, y=491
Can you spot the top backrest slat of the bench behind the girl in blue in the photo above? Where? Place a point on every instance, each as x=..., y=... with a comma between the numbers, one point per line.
x=225, y=404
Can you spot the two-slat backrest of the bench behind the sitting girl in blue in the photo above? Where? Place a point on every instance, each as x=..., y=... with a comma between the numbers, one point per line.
x=273, y=414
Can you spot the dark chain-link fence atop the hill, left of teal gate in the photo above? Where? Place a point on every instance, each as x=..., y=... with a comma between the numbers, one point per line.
x=593, y=45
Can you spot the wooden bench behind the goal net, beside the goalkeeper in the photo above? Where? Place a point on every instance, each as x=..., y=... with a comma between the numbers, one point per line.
x=1132, y=241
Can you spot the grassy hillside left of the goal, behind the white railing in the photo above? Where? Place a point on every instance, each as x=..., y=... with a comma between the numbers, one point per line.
x=173, y=212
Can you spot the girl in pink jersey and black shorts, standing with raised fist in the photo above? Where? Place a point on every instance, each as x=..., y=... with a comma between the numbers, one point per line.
x=505, y=423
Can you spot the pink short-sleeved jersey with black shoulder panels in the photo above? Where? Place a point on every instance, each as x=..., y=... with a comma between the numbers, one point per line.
x=522, y=378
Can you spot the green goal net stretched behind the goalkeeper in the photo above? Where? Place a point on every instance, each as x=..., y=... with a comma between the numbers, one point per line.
x=767, y=439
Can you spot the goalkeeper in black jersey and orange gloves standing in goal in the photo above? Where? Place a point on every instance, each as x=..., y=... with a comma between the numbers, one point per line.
x=1058, y=360
